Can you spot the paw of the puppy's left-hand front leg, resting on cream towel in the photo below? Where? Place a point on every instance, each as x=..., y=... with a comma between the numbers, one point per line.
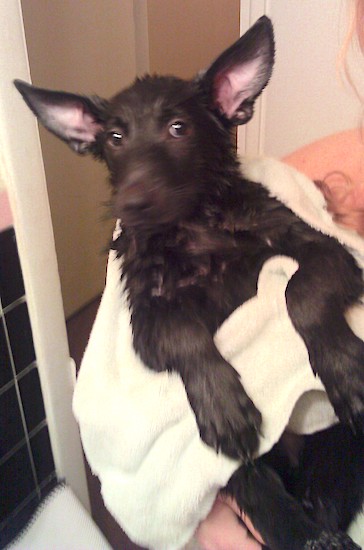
x=226, y=417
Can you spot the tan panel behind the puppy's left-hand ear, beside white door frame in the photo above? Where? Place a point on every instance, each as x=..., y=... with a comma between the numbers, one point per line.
x=85, y=47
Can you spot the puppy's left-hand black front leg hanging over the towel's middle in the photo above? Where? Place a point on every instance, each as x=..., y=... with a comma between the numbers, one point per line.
x=174, y=337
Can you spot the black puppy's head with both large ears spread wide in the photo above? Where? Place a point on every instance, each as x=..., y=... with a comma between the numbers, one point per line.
x=162, y=138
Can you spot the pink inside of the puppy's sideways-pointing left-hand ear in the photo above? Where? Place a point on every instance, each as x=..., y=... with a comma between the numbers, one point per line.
x=74, y=122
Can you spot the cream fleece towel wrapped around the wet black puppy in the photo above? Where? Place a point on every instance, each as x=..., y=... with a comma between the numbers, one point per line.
x=138, y=431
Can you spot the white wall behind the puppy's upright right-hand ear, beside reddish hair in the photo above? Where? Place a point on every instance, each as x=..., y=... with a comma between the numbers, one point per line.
x=306, y=99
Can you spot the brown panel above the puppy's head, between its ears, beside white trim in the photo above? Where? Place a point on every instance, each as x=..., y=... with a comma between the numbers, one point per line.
x=186, y=36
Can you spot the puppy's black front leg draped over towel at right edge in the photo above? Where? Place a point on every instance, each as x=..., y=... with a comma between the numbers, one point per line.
x=326, y=283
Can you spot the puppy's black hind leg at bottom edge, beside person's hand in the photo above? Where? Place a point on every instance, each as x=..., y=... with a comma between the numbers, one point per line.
x=277, y=516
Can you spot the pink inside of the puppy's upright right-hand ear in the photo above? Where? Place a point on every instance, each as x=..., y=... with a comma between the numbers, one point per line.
x=235, y=85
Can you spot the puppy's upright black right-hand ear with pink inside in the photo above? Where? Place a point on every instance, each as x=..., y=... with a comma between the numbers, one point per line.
x=239, y=75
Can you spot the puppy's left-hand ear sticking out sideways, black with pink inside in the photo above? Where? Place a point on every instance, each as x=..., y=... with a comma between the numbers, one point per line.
x=74, y=119
